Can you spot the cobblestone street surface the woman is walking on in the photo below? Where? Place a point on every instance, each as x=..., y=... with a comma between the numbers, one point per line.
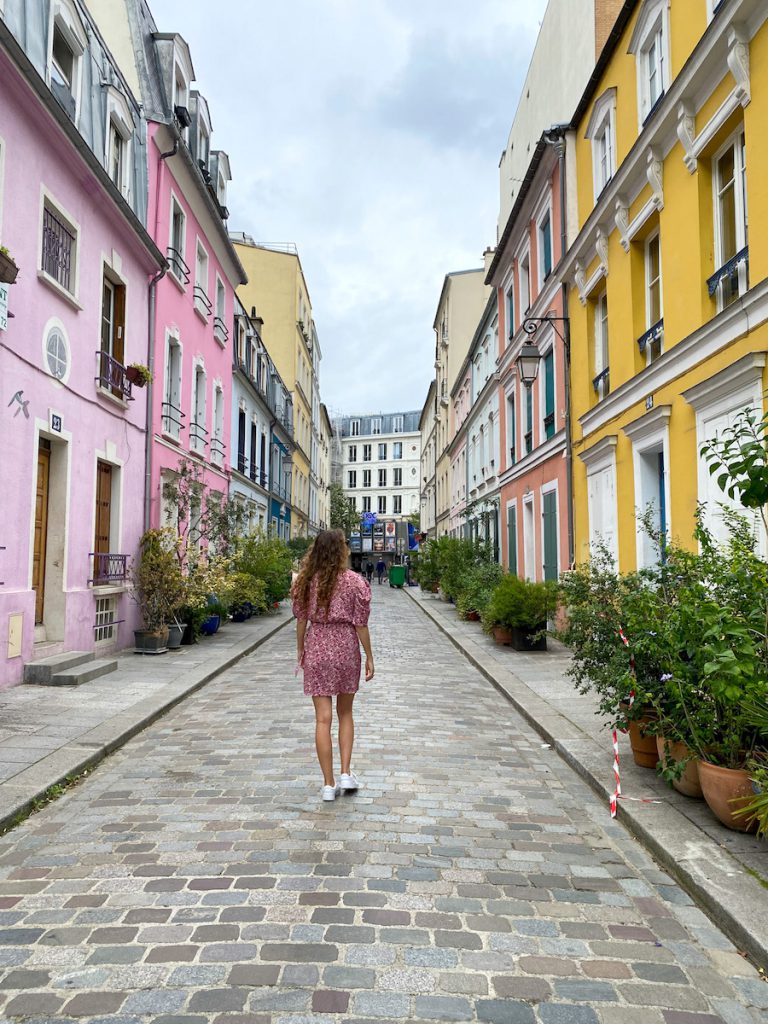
x=197, y=877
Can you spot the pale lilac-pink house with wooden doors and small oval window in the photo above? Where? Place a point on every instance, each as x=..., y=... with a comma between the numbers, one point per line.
x=74, y=428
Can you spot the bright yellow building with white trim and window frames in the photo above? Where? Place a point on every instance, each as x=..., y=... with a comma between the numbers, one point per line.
x=669, y=296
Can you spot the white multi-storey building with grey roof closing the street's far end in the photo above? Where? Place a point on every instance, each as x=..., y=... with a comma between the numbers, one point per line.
x=381, y=463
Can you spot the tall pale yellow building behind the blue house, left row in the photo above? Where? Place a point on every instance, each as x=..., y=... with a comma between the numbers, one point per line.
x=278, y=289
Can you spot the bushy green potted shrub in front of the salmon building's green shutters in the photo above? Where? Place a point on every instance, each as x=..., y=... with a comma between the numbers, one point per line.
x=518, y=613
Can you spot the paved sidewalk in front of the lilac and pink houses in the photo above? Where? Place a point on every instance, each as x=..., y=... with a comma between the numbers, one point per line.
x=49, y=734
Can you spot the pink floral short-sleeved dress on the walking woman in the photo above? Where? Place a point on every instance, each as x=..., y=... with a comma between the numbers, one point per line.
x=332, y=651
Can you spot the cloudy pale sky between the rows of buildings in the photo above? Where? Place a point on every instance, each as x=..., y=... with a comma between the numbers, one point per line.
x=368, y=133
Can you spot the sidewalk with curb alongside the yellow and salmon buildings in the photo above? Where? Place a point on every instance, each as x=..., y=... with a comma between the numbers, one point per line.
x=726, y=872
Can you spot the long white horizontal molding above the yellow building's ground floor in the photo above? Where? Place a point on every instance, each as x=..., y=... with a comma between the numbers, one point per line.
x=734, y=323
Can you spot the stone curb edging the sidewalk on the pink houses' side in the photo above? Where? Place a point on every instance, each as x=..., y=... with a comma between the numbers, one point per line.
x=19, y=796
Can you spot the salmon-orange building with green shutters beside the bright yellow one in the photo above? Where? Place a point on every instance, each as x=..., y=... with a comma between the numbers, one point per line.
x=535, y=460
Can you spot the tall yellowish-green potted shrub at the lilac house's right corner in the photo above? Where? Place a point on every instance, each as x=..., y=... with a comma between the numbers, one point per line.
x=158, y=588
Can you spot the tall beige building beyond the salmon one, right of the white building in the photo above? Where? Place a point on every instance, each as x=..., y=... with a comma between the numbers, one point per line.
x=460, y=308
